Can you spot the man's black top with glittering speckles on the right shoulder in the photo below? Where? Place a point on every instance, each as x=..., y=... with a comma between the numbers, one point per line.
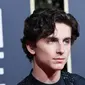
x=66, y=79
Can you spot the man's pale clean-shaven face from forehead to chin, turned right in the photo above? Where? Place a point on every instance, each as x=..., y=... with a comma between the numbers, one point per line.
x=53, y=51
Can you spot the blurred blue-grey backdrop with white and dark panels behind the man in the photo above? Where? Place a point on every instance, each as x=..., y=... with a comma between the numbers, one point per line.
x=14, y=66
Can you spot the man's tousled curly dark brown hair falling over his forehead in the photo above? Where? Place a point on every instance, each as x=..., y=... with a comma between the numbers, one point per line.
x=41, y=24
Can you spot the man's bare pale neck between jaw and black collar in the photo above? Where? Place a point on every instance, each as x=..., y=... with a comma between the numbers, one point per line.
x=46, y=75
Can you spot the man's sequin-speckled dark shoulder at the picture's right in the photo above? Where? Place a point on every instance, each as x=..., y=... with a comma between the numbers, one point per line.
x=77, y=79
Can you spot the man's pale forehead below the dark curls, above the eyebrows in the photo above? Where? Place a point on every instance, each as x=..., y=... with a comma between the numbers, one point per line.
x=61, y=30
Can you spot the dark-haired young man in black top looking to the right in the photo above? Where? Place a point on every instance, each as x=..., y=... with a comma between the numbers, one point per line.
x=48, y=37
